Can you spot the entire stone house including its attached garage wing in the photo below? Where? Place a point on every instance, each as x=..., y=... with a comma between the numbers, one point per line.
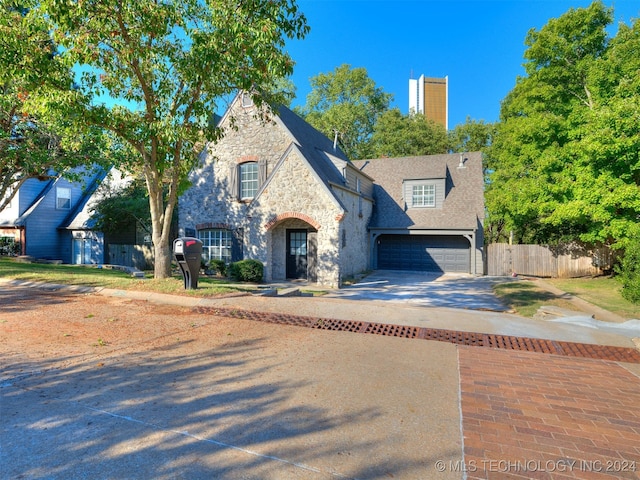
x=280, y=192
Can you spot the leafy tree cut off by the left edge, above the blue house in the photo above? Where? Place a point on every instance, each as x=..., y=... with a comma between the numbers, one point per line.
x=36, y=139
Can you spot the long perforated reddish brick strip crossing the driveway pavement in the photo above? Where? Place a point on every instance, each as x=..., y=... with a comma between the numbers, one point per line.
x=505, y=342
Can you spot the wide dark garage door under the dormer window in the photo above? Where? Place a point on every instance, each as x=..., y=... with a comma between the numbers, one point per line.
x=424, y=253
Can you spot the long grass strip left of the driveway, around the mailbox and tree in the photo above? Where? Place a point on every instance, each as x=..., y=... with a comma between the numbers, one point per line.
x=102, y=277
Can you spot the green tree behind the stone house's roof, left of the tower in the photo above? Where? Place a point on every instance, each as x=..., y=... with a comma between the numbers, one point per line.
x=346, y=103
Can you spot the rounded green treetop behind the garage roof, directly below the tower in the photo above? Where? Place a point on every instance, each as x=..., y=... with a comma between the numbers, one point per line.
x=398, y=135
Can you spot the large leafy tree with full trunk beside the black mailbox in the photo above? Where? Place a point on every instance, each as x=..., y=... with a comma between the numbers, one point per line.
x=157, y=70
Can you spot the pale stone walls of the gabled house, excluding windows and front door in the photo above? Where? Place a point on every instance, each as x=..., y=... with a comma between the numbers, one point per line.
x=294, y=195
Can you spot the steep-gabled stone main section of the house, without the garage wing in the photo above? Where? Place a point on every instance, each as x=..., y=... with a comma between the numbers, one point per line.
x=280, y=192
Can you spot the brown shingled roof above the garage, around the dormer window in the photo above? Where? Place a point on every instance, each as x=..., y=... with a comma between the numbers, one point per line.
x=463, y=205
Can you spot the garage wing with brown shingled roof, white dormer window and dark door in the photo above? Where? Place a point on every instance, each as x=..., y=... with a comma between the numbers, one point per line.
x=429, y=213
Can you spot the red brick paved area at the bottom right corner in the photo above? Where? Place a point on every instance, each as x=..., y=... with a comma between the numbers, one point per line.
x=527, y=415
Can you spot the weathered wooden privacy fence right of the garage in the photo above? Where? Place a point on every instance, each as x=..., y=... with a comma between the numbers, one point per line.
x=542, y=261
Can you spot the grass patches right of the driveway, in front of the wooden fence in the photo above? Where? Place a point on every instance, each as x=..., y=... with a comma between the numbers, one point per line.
x=525, y=297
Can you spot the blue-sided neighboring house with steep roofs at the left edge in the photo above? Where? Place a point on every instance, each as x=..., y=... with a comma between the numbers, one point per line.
x=51, y=218
